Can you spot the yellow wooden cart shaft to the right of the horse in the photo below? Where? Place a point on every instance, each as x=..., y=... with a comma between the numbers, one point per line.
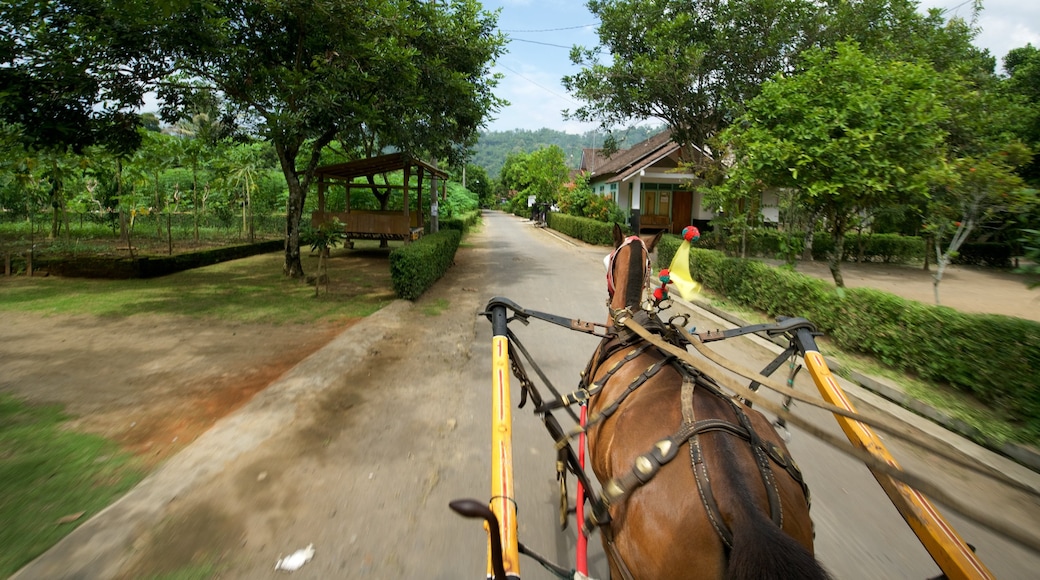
x=947, y=548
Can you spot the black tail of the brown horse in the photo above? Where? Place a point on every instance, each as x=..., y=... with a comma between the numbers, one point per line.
x=763, y=551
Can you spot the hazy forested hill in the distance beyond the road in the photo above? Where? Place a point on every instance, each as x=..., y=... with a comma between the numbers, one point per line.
x=495, y=146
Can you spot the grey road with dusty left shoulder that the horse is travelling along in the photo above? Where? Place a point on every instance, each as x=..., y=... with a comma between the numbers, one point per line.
x=360, y=449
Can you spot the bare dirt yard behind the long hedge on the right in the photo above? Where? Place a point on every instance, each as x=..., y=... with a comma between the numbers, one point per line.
x=965, y=288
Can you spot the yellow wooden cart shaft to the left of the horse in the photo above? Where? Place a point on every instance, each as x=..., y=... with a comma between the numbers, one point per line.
x=503, y=504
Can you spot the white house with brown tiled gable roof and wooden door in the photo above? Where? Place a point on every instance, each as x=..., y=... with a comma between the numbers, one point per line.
x=648, y=186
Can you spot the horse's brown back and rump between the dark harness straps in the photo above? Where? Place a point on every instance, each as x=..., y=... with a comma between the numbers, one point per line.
x=665, y=530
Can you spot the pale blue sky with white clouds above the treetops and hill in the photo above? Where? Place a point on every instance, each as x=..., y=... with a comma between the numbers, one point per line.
x=542, y=33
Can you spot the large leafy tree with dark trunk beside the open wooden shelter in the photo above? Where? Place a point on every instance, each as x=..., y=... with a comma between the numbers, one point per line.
x=310, y=71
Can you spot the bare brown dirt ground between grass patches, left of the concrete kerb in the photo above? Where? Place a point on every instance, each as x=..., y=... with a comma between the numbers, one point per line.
x=153, y=384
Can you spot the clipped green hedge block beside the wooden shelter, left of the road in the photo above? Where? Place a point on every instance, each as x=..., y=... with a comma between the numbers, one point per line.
x=417, y=267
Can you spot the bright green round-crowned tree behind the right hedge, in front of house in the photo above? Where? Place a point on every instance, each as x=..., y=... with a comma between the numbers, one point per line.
x=849, y=135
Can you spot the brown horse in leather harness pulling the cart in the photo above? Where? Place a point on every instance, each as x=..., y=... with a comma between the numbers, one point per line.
x=674, y=526
